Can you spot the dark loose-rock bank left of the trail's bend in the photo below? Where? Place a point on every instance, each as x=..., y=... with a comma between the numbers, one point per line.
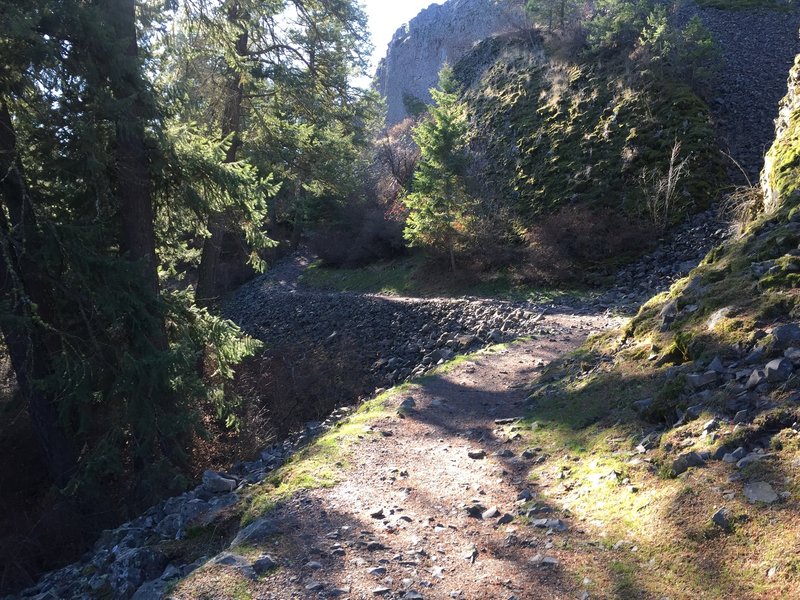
x=396, y=338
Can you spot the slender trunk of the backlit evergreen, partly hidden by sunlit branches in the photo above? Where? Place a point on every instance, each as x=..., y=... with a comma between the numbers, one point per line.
x=208, y=284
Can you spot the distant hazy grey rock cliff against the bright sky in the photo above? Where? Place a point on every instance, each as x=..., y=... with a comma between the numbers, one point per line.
x=440, y=34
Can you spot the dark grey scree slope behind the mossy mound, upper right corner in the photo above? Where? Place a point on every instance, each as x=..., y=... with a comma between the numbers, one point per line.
x=758, y=48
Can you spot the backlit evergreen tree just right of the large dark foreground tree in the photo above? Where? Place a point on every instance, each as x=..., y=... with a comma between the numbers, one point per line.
x=283, y=95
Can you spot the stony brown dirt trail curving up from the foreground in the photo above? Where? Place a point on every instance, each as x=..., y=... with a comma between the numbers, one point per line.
x=397, y=525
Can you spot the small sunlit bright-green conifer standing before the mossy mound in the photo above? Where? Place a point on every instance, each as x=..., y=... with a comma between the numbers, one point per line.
x=440, y=209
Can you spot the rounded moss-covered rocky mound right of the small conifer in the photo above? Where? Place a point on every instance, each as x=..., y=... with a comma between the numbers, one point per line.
x=558, y=133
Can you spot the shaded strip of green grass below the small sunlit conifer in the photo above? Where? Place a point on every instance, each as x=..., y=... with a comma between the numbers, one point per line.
x=414, y=277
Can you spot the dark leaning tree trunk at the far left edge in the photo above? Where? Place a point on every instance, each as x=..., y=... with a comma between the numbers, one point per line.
x=22, y=285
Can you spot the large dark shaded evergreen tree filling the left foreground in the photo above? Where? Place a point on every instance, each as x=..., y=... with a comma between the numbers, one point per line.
x=106, y=360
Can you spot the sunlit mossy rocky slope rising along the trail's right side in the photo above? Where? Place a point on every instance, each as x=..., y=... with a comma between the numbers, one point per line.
x=692, y=411
